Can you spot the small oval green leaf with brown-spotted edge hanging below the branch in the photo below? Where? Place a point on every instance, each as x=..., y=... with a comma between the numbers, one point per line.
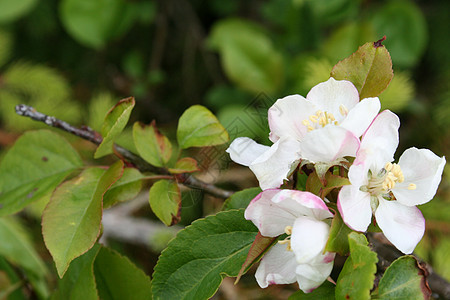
x=165, y=201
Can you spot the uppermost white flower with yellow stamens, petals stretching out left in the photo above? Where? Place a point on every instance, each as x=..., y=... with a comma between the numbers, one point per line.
x=323, y=127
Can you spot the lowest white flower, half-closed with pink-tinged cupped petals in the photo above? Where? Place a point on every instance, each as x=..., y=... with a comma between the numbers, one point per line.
x=301, y=256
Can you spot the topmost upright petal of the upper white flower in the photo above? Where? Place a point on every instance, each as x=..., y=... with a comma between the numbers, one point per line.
x=331, y=94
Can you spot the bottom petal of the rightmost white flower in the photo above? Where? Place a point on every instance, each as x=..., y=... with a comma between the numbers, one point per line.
x=402, y=225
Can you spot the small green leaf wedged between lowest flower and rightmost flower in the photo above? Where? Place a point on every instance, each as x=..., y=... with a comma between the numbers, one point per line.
x=338, y=239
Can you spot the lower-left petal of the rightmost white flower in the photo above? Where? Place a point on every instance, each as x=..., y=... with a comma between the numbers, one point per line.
x=354, y=207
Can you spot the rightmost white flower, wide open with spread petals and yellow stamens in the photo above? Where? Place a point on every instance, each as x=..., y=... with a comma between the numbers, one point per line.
x=388, y=190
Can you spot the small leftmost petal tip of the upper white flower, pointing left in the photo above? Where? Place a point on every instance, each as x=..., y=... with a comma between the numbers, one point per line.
x=244, y=151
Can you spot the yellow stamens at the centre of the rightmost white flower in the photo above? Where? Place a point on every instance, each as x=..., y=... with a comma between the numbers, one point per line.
x=383, y=182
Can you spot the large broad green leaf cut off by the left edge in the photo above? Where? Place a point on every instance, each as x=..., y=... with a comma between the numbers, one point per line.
x=33, y=167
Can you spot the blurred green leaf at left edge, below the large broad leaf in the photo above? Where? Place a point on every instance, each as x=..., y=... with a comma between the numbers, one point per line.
x=17, y=247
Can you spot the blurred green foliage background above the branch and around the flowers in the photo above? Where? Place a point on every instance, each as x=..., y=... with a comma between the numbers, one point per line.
x=74, y=59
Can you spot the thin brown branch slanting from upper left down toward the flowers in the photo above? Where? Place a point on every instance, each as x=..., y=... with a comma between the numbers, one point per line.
x=95, y=137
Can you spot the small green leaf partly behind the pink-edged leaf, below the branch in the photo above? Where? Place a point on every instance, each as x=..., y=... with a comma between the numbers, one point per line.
x=124, y=189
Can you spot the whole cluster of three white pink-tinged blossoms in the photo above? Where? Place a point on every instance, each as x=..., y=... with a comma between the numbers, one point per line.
x=326, y=127
